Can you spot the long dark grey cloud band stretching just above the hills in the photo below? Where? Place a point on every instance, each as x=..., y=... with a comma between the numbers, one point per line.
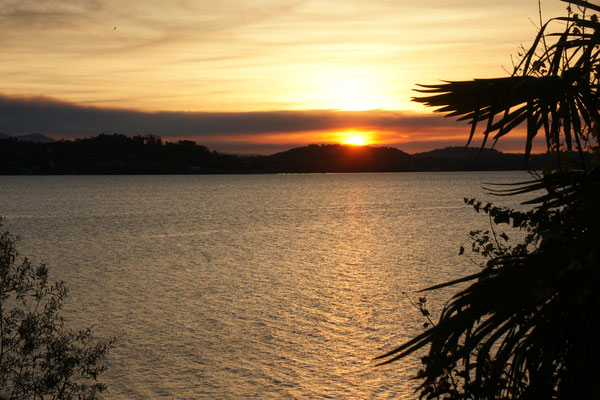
x=65, y=119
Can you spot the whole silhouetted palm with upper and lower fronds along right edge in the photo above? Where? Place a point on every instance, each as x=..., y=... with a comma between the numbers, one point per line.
x=526, y=326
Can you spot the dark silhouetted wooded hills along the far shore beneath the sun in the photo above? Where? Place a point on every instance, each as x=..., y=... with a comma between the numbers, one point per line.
x=120, y=154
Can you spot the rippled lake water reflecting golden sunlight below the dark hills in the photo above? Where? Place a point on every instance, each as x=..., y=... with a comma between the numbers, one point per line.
x=267, y=286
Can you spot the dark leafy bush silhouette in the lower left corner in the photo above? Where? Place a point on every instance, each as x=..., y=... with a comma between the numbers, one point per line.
x=39, y=357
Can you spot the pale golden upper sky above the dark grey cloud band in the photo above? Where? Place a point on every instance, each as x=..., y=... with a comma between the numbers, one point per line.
x=257, y=55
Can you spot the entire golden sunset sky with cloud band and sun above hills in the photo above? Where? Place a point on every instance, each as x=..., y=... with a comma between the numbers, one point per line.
x=252, y=76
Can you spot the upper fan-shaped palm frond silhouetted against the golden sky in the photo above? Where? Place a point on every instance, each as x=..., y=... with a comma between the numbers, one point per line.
x=557, y=89
